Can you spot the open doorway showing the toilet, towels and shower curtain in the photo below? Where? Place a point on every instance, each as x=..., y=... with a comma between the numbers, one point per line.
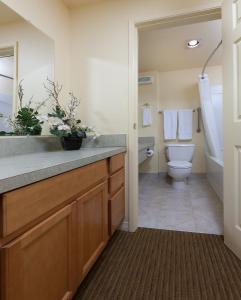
x=178, y=165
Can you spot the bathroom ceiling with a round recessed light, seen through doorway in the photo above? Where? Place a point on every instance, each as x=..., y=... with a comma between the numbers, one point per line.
x=166, y=50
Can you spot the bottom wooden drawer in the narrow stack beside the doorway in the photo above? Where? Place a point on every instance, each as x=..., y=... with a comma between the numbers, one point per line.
x=116, y=210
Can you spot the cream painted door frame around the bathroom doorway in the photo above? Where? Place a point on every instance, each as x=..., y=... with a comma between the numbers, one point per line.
x=183, y=17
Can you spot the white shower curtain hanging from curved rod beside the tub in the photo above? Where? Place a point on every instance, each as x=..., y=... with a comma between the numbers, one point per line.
x=210, y=127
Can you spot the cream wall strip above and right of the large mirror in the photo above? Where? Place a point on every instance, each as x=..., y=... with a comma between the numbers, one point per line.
x=52, y=17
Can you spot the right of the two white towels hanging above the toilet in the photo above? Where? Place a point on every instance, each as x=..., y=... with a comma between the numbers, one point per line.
x=185, y=117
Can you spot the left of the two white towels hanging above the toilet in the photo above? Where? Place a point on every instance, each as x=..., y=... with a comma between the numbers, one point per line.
x=170, y=124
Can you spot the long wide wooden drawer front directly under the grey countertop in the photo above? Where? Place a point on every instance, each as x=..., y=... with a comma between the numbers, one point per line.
x=25, y=205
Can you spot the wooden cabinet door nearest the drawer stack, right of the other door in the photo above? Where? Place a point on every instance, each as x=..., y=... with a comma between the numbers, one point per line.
x=92, y=213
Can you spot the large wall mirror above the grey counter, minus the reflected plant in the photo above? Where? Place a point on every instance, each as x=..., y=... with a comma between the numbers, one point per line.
x=26, y=57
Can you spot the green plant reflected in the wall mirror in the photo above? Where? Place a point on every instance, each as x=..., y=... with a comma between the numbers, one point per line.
x=27, y=121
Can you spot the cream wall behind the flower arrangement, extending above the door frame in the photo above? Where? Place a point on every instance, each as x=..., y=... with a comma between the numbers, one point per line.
x=99, y=54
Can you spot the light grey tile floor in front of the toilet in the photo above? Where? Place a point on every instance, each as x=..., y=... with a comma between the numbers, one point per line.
x=195, y=209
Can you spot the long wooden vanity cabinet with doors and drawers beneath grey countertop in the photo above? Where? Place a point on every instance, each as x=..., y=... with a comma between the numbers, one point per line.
x=52, y=231
